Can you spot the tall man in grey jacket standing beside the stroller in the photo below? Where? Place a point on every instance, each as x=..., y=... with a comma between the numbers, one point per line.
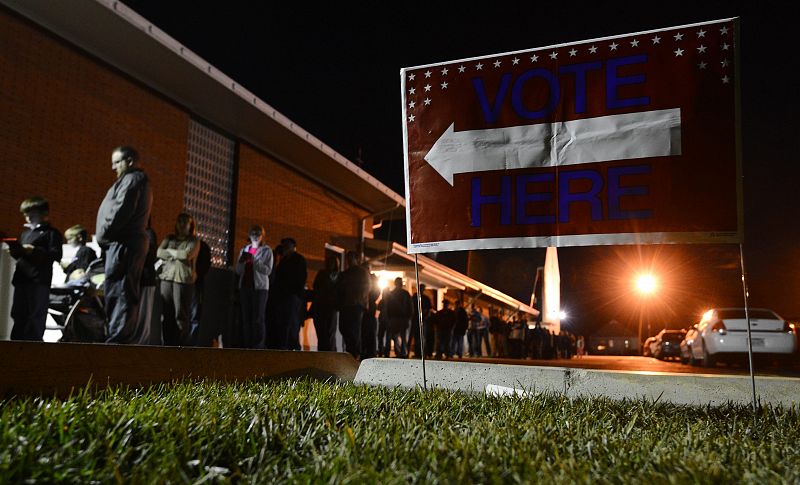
x=121, y=231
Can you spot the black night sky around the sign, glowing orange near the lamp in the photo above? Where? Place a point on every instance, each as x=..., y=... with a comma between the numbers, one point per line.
x=334, y=69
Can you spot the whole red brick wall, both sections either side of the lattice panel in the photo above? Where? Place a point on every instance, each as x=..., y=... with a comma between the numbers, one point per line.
x=62, y=114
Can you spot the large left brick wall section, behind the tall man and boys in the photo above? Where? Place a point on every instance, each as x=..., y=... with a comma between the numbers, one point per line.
x=62, y=113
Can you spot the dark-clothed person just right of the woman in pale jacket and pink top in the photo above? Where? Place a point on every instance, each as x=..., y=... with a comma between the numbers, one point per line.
x=289, y=294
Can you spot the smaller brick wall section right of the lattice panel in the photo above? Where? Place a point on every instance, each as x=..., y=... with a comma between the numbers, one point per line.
x=289, y=205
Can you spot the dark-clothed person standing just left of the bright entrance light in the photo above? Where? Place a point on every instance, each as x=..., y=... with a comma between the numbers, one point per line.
x=353, y=289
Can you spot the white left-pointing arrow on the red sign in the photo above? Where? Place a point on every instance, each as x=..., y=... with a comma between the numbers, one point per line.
x=615, y=137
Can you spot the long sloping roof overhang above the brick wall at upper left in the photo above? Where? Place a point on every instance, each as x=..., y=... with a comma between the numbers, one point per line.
x=122, y=38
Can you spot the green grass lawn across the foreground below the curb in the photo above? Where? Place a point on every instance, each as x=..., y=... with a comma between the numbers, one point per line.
x=311, y=432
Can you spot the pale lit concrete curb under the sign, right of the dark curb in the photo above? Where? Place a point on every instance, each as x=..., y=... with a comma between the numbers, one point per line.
x=695, y=389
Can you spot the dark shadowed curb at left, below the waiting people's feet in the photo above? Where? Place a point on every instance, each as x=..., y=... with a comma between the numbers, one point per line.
x=59, y=368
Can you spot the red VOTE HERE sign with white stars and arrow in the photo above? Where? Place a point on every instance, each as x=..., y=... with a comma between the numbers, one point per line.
x=630, y=139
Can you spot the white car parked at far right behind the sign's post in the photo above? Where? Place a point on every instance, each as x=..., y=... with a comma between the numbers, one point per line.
x=723, y=333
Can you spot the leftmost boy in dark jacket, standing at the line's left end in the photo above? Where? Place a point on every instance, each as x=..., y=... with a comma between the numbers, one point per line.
x=37, y=248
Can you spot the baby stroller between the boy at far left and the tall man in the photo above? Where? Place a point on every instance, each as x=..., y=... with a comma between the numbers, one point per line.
x=77, y=308
